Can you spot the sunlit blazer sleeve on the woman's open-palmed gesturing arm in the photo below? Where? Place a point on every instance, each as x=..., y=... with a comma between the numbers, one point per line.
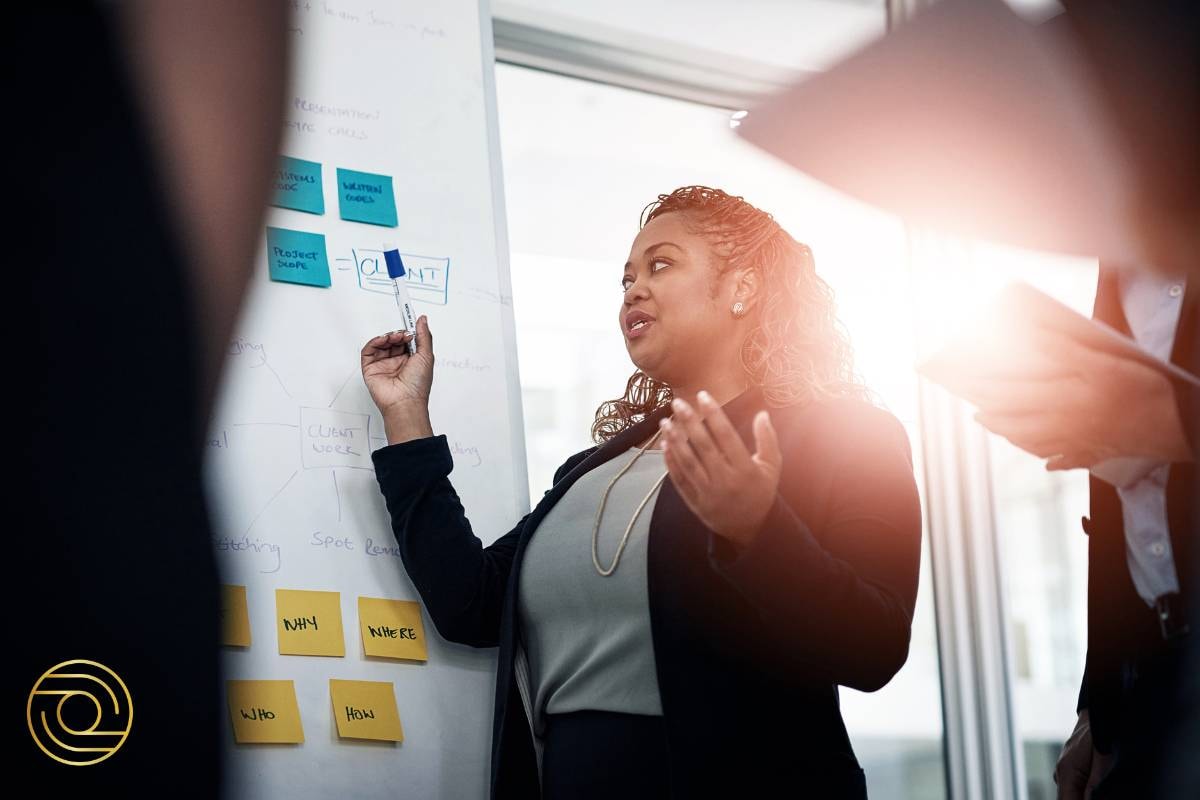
x=841, y=600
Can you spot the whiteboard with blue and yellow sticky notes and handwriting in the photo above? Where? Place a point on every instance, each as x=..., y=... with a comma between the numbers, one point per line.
x=406, y=91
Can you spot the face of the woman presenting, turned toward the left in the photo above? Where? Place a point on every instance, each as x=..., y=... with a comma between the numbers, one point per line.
x=669, y=285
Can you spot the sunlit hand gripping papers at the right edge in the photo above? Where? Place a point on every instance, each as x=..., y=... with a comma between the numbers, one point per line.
x=1064, y=401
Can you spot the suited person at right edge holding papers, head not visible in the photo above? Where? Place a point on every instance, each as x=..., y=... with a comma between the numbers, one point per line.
x=1137, y=430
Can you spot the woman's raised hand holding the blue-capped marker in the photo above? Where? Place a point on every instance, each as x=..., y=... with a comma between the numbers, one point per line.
x=400, y=383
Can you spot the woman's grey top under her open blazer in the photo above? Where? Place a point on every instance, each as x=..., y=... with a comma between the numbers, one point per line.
x=587, y=636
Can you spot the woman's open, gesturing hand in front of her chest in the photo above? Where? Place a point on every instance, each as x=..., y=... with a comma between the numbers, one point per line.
x=725, y=486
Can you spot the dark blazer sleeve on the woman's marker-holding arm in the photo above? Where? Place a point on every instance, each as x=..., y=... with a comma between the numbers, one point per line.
x=461, y=582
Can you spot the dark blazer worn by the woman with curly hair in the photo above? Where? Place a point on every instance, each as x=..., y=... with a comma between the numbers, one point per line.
x=751, y=646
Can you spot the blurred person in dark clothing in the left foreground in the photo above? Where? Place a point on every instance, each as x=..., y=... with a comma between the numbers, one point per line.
x=148, y=137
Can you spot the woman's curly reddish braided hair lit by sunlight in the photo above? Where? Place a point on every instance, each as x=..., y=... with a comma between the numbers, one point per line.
x=796, y=352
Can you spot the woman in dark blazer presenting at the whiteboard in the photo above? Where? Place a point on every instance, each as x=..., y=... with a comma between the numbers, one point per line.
x=676, y=615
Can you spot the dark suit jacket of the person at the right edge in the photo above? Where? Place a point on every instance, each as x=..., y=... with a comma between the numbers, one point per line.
x=1131, y=667
